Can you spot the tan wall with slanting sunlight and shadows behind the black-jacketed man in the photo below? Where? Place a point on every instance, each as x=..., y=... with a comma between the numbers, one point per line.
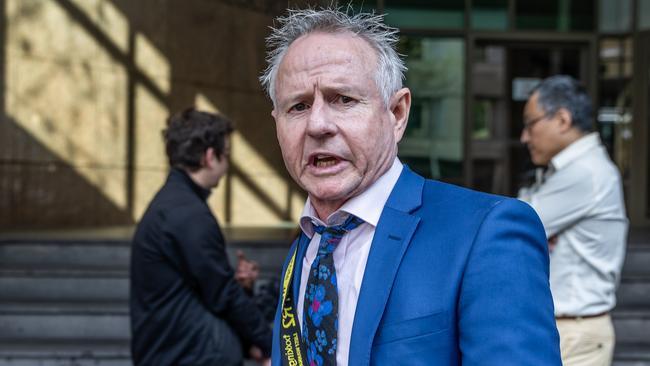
x=86, y=88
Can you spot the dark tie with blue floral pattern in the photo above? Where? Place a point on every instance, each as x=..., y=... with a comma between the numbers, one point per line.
x=320, y=315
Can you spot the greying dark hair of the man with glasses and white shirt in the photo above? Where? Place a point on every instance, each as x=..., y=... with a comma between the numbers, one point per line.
x=562, y=91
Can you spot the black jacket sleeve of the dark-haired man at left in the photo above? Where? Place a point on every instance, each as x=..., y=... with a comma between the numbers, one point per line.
x=203, y=248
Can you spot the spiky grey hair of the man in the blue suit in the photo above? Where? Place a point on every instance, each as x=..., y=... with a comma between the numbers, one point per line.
x=368, y=26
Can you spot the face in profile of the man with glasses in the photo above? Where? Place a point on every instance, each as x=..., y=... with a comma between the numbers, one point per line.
x=541, y=133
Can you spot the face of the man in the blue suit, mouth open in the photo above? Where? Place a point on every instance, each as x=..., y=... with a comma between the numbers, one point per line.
x=337, y=136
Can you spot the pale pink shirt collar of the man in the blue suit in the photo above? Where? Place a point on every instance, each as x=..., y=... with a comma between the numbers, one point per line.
x=367, y=206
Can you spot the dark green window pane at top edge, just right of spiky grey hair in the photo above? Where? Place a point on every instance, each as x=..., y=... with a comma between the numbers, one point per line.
x=425, y=14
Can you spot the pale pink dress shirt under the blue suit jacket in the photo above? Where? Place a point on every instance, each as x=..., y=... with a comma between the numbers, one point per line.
x=351, y=254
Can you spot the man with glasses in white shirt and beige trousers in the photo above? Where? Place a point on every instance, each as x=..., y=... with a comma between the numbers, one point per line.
x=579, y=199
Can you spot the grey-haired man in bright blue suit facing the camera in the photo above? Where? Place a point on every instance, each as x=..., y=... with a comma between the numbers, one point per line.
x=390, y=268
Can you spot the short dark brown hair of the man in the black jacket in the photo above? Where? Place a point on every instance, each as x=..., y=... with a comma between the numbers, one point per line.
x=190, y=133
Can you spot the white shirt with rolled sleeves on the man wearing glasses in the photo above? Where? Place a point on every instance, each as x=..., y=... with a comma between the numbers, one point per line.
x=579, y=198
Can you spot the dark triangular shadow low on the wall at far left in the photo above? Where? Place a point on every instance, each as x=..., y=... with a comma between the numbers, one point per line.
x=49, y=193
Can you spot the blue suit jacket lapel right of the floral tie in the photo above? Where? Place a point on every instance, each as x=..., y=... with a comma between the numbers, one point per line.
x=392, y=237
